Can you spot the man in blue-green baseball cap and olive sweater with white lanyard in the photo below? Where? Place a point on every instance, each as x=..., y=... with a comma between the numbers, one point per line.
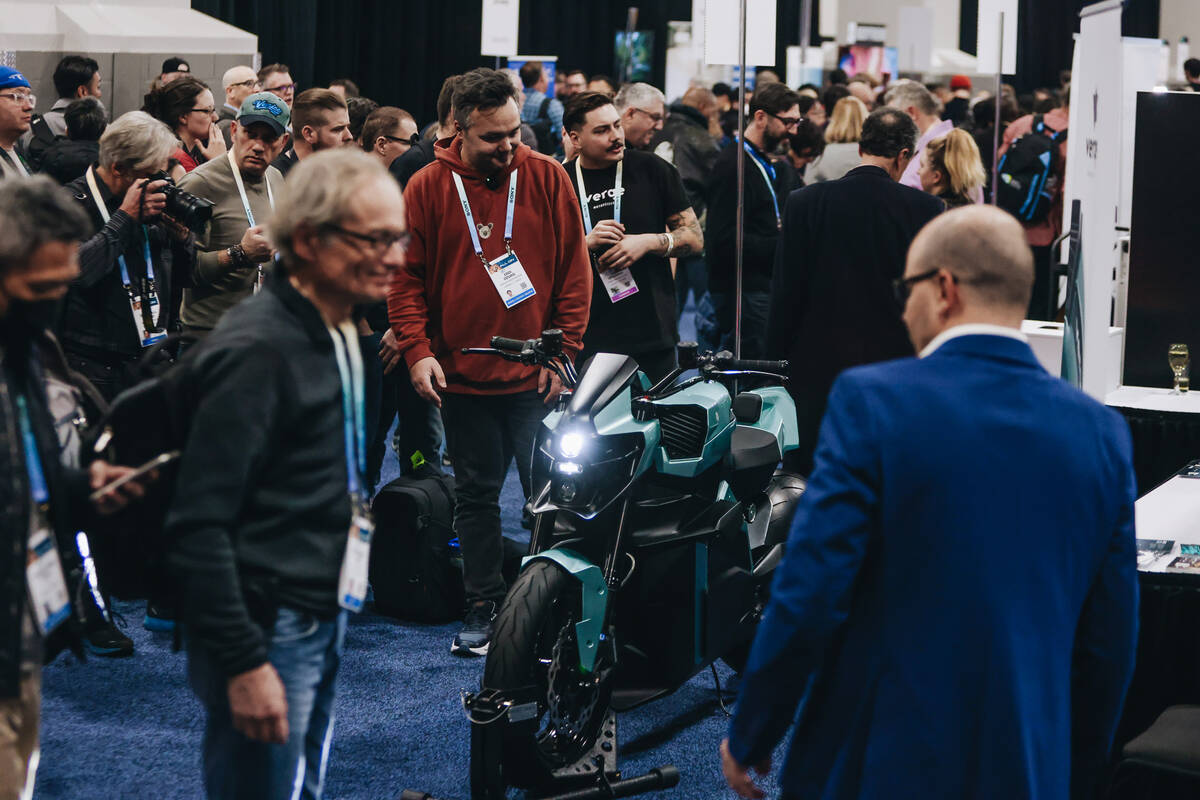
x=233, y=255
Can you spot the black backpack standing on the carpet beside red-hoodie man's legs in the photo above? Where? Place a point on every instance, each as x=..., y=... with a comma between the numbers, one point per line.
x=416, y=569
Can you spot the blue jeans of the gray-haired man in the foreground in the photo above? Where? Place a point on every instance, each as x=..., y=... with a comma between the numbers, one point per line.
x=305, y=652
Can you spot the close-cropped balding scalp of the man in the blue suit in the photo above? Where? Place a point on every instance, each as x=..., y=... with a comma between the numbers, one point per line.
x=986, y=250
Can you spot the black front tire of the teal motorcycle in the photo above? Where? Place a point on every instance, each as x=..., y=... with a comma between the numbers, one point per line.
x=539, y=613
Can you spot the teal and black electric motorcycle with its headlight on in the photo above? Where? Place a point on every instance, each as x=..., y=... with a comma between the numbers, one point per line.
x=659, y=519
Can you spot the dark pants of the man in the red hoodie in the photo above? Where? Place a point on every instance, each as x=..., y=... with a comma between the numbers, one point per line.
x=484, y=435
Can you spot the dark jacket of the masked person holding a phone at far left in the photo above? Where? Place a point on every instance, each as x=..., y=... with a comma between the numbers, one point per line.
x=22, y=372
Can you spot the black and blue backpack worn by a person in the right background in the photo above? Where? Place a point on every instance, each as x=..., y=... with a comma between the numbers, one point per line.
x=1024, y=187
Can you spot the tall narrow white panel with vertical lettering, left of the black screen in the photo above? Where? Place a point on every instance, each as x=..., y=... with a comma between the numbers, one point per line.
x=1094, y=164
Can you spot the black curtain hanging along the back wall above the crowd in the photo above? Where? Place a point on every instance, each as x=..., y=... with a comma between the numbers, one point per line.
x=400, y=51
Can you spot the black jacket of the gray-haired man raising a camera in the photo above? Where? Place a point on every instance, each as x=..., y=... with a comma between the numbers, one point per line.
x=97, y=318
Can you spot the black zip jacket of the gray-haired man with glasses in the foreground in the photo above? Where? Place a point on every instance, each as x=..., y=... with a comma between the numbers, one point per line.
x=262, y=508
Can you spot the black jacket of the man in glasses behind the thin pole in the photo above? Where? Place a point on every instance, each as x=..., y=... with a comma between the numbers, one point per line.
x=761, y=225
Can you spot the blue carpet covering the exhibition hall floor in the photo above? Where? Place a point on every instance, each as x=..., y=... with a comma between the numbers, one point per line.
x=131, y=729
